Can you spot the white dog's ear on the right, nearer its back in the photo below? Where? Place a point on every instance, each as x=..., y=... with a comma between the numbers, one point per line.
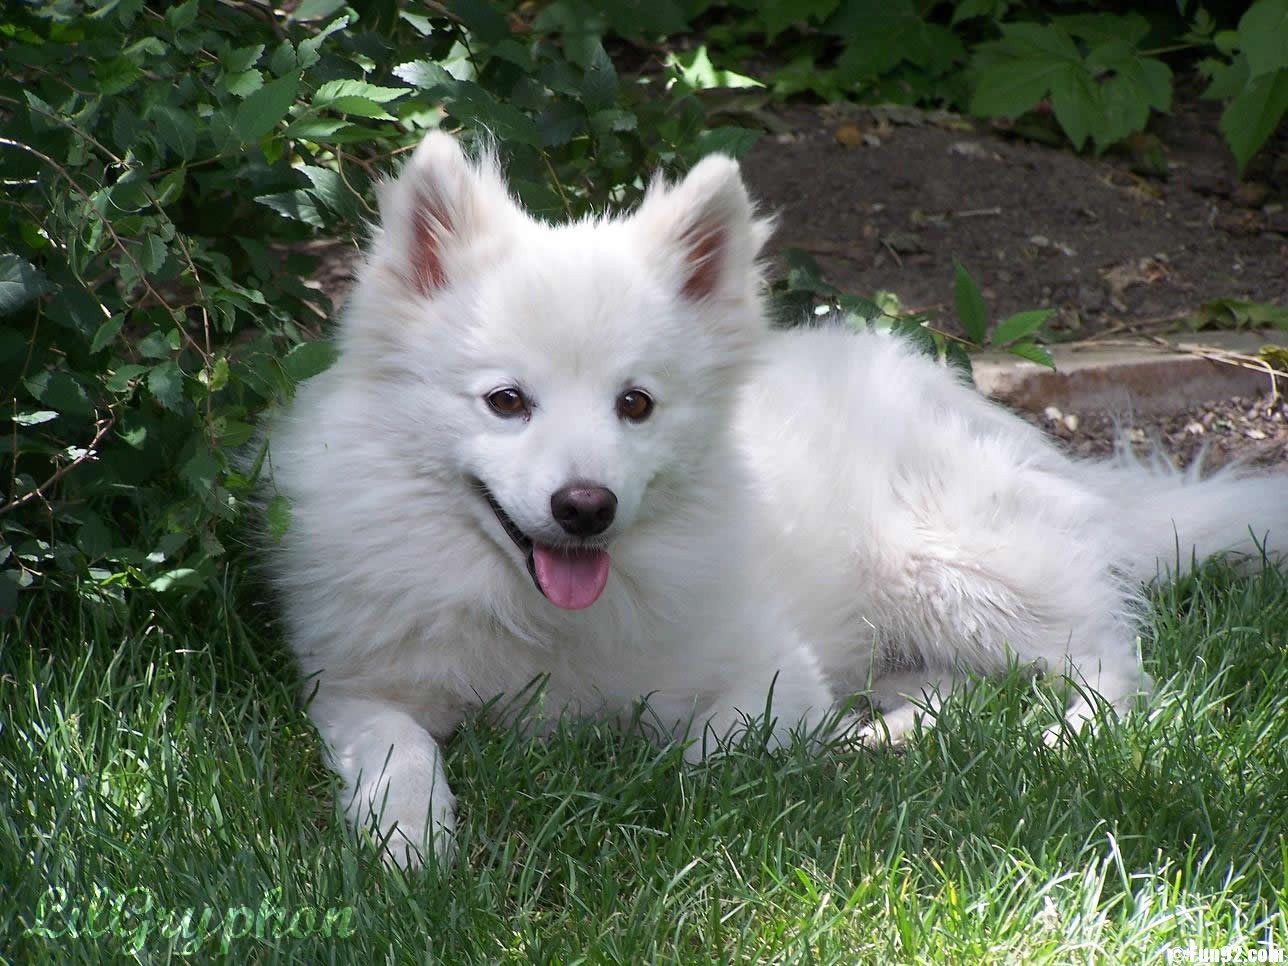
x=706, y=230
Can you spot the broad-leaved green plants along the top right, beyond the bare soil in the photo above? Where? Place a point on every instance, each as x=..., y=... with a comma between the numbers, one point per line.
x=1102, y=74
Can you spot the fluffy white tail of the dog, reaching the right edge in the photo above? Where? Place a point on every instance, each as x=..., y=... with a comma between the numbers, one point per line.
x=1169, y=520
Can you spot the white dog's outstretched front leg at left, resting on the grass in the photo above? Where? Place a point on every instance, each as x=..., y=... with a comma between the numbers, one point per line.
x=393, y=775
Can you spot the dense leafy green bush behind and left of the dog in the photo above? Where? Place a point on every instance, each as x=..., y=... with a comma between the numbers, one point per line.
x=164, y=171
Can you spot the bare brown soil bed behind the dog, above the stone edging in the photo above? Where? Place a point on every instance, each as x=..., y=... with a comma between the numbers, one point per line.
x=885, y=199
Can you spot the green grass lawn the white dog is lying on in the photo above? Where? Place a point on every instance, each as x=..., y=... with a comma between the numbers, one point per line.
x=159, y=764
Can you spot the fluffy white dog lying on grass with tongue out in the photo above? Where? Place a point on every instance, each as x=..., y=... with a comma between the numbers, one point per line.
x=580, y=453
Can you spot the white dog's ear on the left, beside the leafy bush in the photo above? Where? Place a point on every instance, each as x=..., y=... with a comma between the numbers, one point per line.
x=440, y=203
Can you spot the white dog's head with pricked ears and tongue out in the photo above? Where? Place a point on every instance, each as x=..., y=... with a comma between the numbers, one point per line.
x=570, y=378
